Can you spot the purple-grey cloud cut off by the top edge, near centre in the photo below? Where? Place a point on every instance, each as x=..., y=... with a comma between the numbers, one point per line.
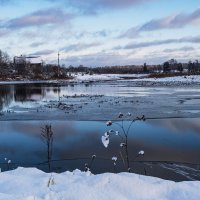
x=89, y=7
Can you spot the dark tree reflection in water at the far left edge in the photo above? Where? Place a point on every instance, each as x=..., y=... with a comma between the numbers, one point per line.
x=6, y=96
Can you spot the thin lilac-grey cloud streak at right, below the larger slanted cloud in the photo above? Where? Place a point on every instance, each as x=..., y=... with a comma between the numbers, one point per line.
x=138, y=45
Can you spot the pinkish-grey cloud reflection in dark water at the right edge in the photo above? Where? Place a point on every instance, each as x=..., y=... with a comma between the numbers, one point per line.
x=178, y=125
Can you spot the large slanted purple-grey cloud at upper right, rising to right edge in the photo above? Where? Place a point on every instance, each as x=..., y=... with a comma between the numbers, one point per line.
x=170, y=22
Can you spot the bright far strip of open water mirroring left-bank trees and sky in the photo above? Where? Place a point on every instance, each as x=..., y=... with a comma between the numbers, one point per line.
x=30, y=95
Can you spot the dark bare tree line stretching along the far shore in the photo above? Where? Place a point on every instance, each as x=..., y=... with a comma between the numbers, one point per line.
x=20, y=68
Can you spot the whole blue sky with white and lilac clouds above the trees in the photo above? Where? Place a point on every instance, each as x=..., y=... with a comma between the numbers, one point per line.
x=101, y=32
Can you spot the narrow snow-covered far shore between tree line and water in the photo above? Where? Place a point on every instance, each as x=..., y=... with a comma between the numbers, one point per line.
x=135, y=78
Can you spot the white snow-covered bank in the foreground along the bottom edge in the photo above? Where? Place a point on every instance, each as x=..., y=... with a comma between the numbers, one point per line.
x=32, y=184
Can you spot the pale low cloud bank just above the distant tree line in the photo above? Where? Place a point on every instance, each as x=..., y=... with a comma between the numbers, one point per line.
x=101, y=59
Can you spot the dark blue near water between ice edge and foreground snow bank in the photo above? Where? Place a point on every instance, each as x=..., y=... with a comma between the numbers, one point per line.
x=172, y=147
